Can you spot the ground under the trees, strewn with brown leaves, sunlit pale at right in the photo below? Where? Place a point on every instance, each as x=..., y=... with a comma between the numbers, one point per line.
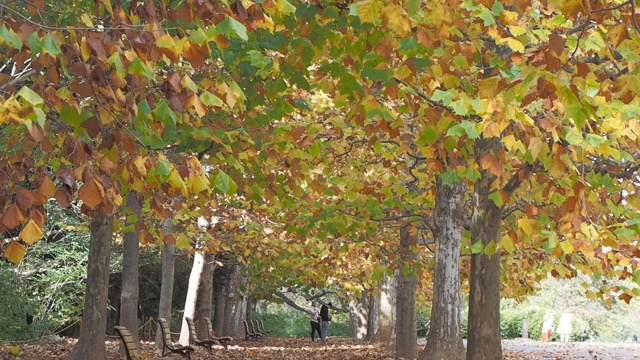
x=335, y=349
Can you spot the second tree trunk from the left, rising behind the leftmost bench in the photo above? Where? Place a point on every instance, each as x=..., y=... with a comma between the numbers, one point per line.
x=129, y=291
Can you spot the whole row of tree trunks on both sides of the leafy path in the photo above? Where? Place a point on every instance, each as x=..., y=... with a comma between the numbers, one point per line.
x=444, y=339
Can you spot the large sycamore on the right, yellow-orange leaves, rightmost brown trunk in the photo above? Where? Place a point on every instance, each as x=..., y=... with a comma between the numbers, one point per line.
x=532, y=104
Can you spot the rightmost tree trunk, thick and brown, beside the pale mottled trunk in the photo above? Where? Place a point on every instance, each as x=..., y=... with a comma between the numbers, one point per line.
x=484, y=293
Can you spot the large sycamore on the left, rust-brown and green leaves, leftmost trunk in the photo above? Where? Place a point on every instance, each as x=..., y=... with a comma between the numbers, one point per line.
x=123, y=97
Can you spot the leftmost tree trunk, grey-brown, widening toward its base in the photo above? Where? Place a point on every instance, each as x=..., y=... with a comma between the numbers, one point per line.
x=91, y=344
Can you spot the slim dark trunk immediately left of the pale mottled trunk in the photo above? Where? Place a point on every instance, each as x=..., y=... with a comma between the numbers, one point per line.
x=406, y=332
